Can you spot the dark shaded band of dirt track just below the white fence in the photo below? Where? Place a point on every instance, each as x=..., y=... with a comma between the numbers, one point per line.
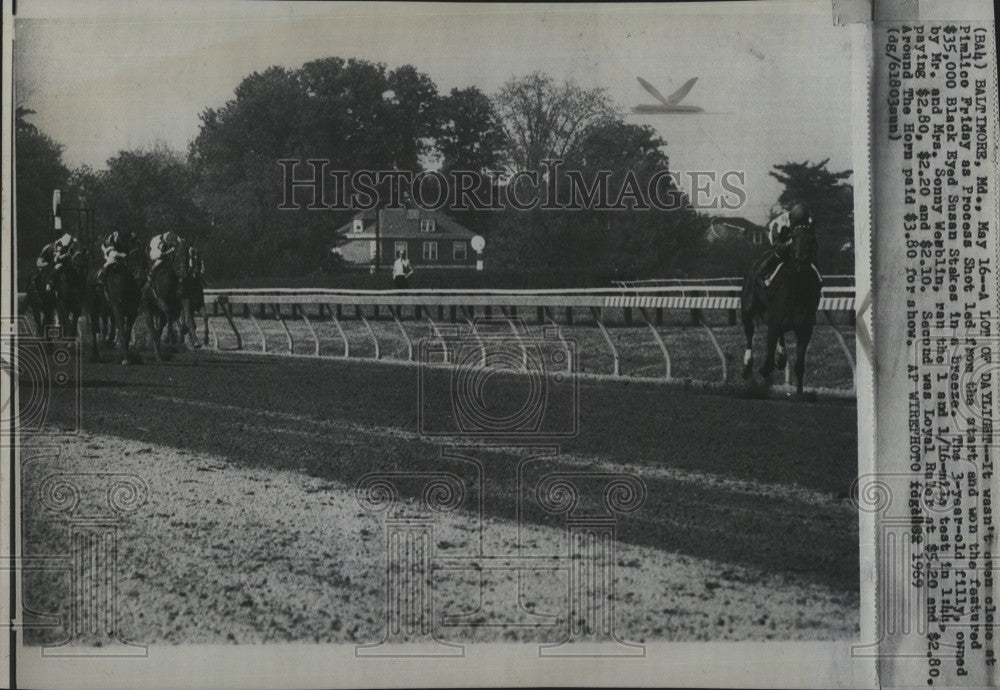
x=340, y=420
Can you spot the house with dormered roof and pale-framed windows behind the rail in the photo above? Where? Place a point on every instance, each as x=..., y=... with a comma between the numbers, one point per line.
x=429, y=238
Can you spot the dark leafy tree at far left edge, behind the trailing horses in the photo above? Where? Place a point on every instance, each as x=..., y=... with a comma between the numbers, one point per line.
x=39, y=170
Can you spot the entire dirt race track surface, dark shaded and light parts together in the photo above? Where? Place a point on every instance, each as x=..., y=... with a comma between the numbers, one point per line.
x=252, y=532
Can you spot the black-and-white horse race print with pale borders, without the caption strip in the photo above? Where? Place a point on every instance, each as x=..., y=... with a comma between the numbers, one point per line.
x=408, y=333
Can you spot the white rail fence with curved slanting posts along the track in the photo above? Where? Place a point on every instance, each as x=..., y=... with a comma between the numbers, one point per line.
x=641, y=306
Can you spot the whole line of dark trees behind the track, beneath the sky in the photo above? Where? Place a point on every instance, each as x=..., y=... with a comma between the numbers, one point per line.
x=224, y=192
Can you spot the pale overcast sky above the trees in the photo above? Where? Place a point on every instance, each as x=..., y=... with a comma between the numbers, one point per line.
x=107, y=76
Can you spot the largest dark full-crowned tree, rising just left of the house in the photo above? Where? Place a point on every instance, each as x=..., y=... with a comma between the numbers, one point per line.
x=356, y=114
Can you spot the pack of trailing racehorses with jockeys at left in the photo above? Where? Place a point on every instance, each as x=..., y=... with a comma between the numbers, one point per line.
x=169, y=294
